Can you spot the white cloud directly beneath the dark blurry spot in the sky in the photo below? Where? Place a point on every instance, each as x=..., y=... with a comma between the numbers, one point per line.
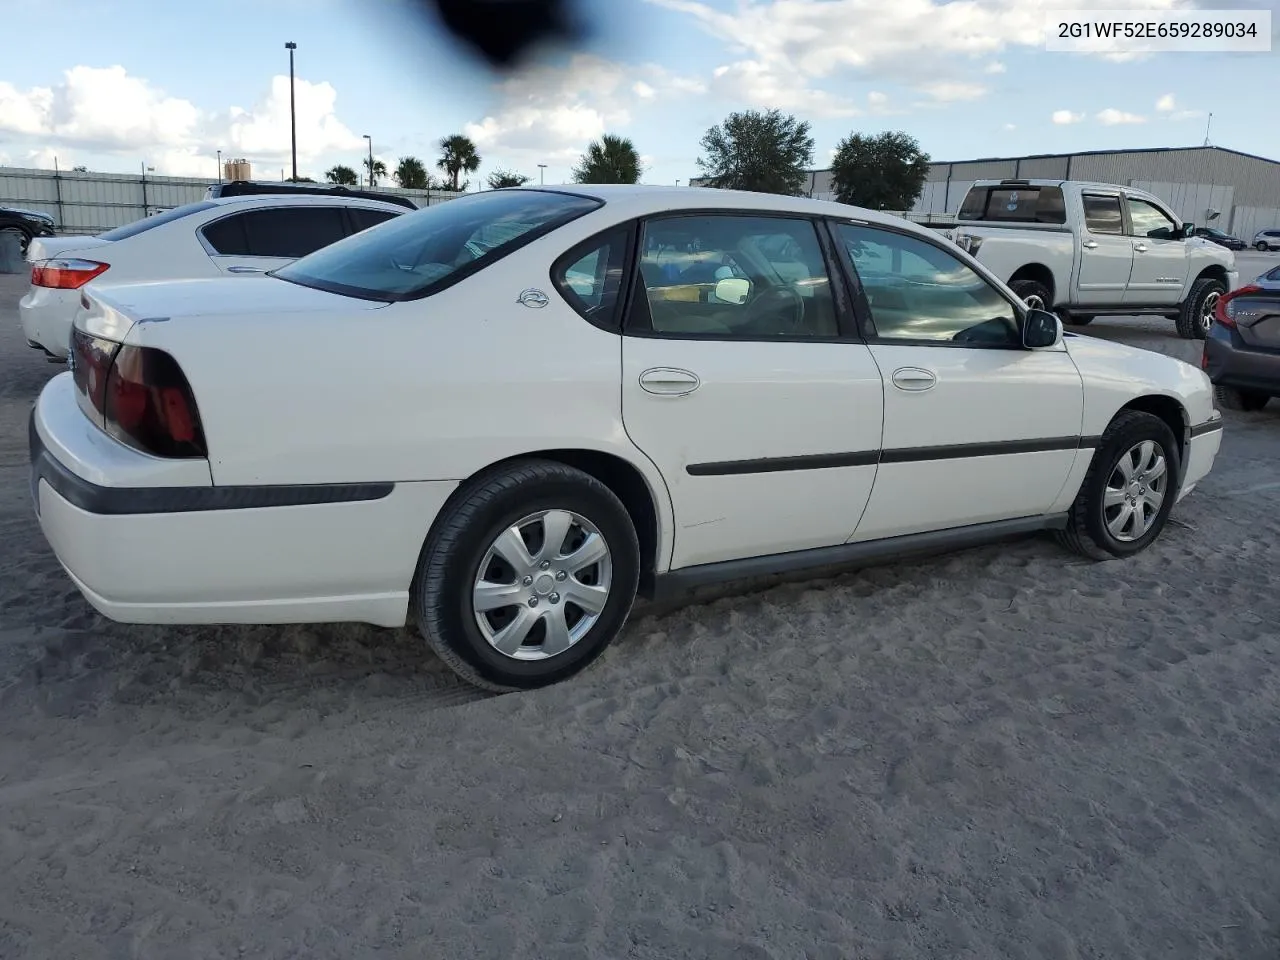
x=551, y=115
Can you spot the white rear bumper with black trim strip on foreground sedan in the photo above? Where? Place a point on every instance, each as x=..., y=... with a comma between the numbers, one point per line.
x=148, y=542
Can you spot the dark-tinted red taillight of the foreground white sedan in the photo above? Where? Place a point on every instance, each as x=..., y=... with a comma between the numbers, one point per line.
x=139, y=396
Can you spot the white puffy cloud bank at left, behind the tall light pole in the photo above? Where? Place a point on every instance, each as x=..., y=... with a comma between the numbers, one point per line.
x=108, y=112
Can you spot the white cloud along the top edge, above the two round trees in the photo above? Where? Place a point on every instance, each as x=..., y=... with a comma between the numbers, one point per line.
x=788, y=48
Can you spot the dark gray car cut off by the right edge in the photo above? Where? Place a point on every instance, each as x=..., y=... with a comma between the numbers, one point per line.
x=1242, y=350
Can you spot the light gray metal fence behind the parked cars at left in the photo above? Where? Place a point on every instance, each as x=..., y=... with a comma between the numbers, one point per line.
x=88, y=203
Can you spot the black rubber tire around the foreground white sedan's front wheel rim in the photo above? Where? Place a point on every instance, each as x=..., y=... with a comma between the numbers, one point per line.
x=1086, y=531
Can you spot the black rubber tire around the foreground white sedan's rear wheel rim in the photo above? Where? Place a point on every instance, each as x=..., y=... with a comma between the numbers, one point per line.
x=451, y=559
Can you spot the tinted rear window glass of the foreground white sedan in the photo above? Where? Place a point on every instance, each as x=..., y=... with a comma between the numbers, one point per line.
x=419, y=254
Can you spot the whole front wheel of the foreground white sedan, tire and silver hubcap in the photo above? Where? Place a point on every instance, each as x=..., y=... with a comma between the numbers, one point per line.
x=1130, y=491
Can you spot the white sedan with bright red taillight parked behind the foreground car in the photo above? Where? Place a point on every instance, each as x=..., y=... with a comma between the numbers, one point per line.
x=241, y=236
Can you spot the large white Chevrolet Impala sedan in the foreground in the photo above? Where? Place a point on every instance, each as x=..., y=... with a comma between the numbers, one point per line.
x=504, y=417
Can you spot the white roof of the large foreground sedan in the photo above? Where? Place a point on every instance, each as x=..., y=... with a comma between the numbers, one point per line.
x=646, y=200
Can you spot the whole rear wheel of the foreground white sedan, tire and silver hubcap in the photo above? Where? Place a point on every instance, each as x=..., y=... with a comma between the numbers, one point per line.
x=528, y=578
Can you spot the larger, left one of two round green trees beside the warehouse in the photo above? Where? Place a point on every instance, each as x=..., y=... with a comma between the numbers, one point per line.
x=766, y=153
